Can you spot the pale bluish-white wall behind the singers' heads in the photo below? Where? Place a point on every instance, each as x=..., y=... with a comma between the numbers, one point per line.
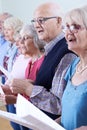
x=24, y=8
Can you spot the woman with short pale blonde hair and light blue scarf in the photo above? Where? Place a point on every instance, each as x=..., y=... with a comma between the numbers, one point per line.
x=12, y=27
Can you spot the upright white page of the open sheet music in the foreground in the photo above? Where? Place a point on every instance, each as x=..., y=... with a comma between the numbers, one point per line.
x=29, y=112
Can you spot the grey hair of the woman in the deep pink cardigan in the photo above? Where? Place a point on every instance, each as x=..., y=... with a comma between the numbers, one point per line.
x=30, y=30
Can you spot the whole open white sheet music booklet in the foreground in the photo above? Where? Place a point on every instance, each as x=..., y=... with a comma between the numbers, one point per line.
x=30, y=116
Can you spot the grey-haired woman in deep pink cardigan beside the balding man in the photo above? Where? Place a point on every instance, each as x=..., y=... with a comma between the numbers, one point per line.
x=31, y=47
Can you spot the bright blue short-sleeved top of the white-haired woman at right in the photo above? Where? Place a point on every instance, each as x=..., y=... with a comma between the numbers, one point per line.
x=74, y=102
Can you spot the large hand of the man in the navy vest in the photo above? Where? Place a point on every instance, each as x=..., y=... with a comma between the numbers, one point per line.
x=22, y=86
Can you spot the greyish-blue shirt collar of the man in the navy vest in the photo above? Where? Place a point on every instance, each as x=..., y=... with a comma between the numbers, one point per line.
x=48, y=47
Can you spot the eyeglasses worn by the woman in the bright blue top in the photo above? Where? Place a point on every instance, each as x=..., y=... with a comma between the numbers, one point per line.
x=73, y=28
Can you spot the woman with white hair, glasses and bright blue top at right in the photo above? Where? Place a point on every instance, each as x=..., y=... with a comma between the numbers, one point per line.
x=74, y=100
